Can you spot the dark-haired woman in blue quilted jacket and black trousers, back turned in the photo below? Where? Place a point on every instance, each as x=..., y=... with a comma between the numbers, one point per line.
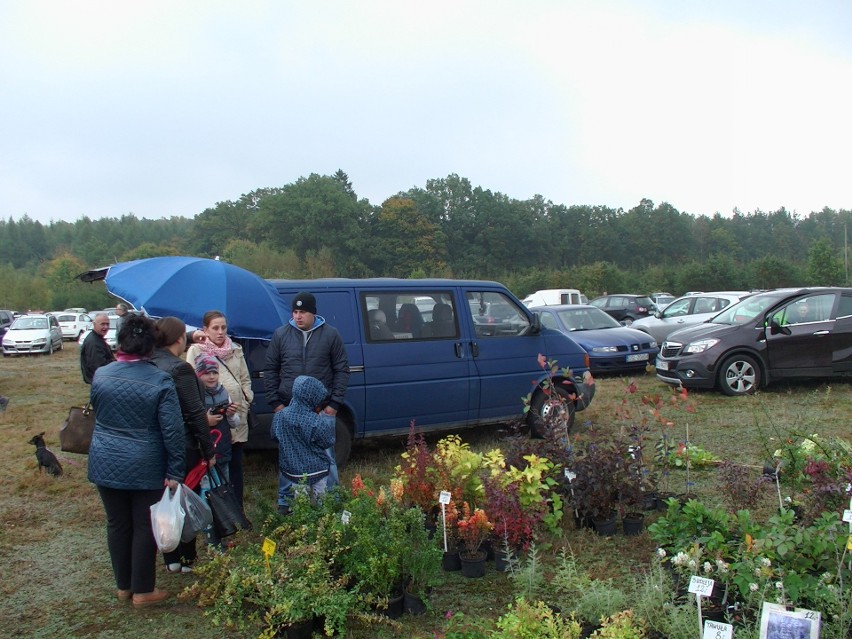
x=137, y=448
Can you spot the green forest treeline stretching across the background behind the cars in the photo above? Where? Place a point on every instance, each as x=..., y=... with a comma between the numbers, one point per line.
x=318, y=227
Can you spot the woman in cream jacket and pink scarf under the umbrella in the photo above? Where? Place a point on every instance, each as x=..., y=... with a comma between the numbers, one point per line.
x=234, y=376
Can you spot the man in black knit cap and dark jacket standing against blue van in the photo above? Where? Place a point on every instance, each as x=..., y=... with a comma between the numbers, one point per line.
x=306, y=345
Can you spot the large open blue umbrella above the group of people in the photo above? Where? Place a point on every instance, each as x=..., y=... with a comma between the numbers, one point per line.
x=188, y=287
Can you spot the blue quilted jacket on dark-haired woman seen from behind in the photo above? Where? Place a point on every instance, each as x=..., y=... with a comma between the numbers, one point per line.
x=139, y=435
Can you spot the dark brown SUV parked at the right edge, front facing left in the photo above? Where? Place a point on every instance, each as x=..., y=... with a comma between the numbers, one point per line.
x=781, y=334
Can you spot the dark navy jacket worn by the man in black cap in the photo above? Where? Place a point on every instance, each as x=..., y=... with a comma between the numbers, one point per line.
x=318, y=352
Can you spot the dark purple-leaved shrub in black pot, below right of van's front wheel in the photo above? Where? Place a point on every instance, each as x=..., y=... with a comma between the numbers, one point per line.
x=598, y=471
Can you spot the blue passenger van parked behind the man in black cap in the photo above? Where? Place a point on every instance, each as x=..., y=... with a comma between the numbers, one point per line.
x=445, y=354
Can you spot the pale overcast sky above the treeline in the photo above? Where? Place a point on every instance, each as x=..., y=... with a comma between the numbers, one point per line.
x=162, y=108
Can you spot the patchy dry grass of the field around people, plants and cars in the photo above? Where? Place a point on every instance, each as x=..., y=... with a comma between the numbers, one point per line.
x=54, y=567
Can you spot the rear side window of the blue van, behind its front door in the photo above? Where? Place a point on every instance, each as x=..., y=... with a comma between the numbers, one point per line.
x=400, y=315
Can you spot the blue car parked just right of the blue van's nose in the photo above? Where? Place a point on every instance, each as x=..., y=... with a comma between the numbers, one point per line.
x=612, y=348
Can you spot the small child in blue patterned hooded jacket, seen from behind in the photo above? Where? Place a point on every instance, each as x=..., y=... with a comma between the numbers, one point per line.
x=304, y=433
